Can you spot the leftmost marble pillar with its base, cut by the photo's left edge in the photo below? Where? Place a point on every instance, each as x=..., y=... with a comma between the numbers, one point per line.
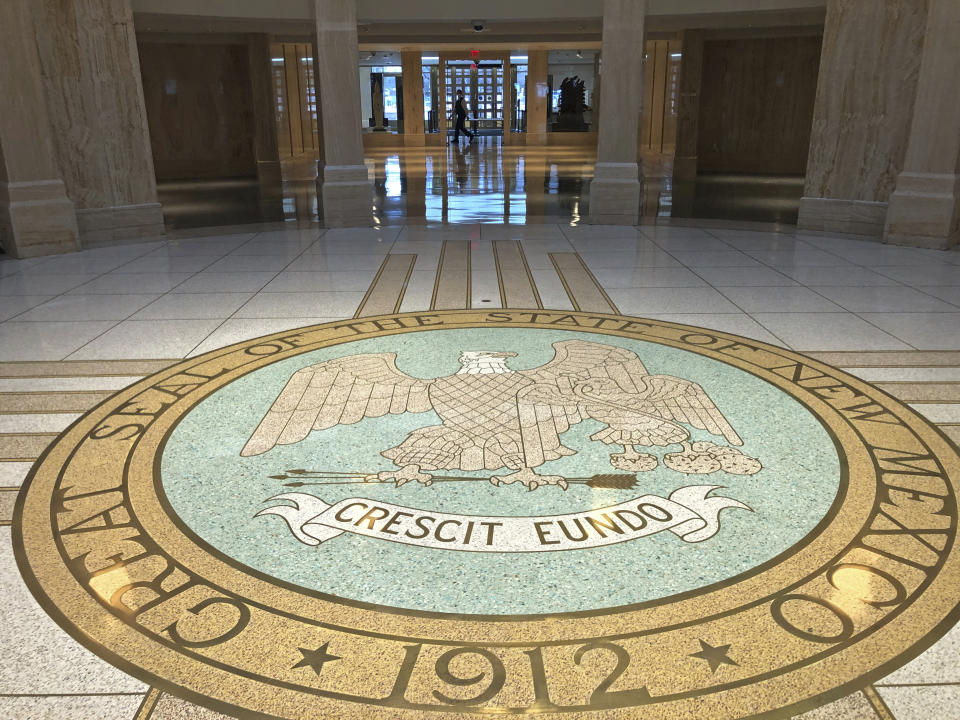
x=36, y=216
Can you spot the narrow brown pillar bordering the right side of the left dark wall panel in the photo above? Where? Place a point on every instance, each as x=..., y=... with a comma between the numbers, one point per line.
x=265, y=145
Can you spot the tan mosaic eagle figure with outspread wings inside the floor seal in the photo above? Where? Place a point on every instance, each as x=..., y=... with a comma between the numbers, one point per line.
x=495, y=418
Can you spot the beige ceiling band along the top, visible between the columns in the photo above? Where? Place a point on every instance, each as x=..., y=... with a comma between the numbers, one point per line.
x=436, y=25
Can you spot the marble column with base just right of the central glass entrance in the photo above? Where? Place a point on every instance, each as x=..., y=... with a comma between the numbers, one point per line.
x=615, y=189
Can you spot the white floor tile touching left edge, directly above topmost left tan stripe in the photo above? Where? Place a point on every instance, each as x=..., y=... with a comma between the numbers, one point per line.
x=47, y=340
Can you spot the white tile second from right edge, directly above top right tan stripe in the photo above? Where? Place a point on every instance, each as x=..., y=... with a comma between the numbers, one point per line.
x=827, y=331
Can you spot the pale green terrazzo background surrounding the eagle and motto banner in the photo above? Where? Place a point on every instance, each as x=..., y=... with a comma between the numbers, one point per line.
x=216, y=492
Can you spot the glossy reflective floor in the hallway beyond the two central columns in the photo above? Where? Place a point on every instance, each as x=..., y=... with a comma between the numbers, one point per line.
x=483, y=181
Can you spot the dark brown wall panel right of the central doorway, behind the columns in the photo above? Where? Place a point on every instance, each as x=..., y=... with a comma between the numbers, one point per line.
x=756, y=104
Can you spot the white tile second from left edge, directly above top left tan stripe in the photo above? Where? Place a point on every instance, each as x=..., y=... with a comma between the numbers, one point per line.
x=147, y=339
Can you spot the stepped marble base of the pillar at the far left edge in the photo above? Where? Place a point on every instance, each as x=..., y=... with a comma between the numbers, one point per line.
x=37, y=218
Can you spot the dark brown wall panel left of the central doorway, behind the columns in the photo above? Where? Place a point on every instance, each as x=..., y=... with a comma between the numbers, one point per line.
x=200, y=108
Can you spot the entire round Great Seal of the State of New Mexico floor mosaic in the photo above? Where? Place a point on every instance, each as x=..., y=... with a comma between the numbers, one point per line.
x=464, y=512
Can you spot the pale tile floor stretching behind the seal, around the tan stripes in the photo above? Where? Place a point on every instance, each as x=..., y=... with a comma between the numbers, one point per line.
x=170, y=299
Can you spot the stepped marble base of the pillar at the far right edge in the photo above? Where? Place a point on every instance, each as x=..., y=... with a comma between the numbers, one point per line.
x=924, y=211
